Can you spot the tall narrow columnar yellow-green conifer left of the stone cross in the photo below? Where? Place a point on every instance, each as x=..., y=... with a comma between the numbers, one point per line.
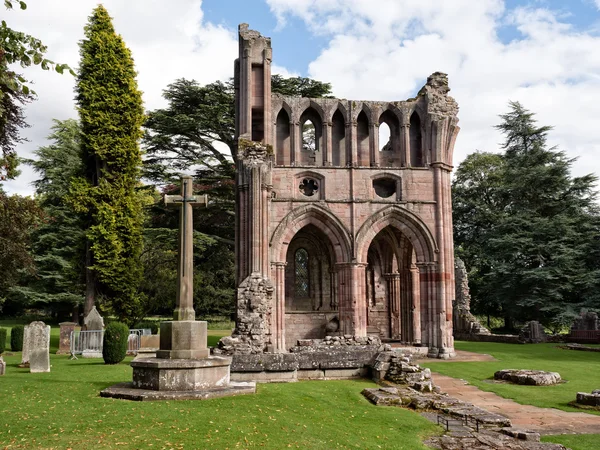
x=111, y=115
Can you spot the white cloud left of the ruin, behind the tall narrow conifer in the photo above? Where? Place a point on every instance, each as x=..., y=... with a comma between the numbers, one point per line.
x=167, y=40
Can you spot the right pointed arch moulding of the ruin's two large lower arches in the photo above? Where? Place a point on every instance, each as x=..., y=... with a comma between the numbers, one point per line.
x=405, y=221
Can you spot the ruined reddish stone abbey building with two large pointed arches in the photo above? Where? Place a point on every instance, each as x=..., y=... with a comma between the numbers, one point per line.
x=337, y=232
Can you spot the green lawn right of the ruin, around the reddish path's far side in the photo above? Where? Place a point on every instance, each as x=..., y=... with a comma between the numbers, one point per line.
x=579, y=369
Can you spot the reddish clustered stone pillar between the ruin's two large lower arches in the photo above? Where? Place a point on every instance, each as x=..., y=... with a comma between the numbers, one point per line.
x=353, y=307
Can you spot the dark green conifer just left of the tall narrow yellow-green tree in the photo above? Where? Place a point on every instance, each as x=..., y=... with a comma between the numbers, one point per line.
x=59, y=242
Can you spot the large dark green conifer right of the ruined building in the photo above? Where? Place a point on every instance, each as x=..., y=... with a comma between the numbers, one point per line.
x=525, y=226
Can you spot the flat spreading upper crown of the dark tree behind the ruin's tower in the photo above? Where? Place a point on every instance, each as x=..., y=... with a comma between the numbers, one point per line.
x=197, y=128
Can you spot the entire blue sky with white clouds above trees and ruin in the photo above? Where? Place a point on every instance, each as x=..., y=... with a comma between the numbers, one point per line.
x=543, y=53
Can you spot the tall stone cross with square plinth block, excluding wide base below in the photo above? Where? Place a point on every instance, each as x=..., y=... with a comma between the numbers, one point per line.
x=184, y=337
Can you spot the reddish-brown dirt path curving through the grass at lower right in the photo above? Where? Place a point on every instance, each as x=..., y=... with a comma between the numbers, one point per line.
x=542, y=420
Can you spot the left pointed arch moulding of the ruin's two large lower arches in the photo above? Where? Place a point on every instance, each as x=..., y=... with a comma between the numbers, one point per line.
x=321, y=218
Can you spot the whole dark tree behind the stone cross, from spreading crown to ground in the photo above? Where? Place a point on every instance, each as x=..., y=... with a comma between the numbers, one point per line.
x=196, y=132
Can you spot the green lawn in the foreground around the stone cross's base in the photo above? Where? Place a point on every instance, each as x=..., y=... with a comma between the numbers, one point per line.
x=62, y=409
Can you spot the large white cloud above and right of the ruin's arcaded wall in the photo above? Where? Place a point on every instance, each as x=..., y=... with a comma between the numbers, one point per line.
x=386, y=50
